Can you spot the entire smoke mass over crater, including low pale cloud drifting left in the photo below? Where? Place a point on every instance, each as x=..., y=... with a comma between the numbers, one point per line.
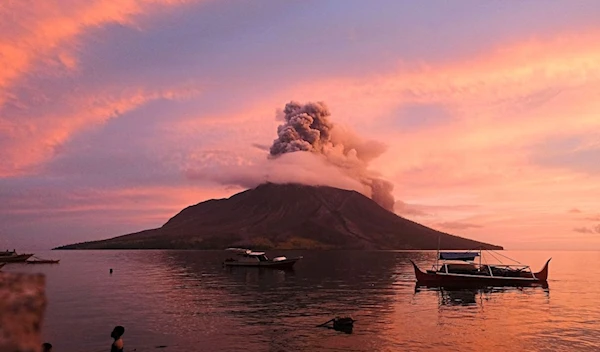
x=310, y=150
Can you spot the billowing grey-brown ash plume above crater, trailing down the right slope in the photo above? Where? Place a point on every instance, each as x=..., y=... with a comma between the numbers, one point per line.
x=307, y=128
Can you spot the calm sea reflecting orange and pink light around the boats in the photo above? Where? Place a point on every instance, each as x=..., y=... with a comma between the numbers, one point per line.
x=186, y=301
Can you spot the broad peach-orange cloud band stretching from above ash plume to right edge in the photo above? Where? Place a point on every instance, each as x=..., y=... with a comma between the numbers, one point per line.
x=514, y=76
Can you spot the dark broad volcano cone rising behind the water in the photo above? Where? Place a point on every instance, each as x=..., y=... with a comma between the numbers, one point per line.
x=287, y=216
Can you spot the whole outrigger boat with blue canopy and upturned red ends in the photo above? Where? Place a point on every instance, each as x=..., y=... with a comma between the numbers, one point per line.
x=460, y=269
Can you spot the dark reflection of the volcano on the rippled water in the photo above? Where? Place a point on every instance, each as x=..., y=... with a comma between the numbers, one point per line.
x=277, y=309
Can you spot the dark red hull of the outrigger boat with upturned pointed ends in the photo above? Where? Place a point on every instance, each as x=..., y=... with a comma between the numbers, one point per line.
x=436, y=279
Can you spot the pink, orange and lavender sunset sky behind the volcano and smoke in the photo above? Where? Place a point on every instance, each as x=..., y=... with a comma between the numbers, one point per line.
x=489, y=110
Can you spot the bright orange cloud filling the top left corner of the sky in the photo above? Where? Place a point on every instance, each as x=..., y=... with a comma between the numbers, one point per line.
x=33, y=31
